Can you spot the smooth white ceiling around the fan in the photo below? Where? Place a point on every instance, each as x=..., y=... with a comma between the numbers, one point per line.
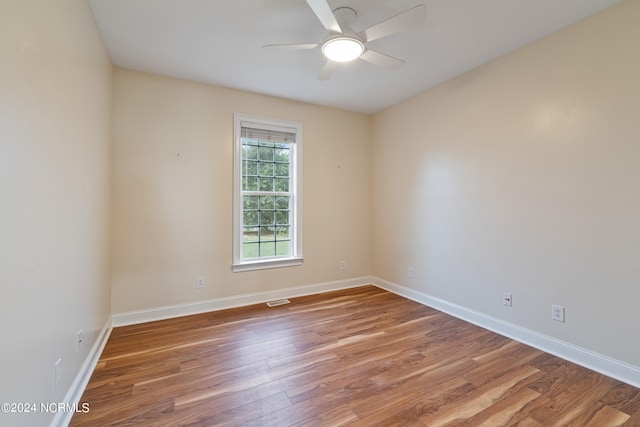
x=219, y=42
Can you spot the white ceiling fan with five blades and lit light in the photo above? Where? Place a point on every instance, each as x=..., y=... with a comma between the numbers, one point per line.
x=342, y=44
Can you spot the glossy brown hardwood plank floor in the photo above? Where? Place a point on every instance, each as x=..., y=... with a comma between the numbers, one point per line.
x=359, y=357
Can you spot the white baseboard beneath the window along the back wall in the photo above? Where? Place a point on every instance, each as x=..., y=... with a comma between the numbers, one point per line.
x=171, y=311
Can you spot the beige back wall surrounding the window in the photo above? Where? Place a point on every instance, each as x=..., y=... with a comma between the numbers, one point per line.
x=172, y=192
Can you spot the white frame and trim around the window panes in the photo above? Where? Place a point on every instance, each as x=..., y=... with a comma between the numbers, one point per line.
x=295, y=258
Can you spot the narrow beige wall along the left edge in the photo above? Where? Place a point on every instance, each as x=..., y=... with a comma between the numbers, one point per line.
x=55, y=126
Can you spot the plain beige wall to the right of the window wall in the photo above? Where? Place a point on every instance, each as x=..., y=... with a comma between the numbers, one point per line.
x=522, y=176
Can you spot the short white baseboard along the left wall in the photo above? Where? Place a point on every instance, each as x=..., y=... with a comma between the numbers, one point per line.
x=74, y=394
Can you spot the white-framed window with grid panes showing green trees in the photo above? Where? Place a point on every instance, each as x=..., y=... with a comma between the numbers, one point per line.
x=267, y=193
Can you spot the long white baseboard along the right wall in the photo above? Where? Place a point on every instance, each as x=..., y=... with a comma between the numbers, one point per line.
x=619, y=370
